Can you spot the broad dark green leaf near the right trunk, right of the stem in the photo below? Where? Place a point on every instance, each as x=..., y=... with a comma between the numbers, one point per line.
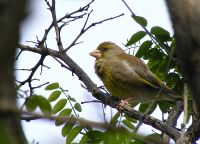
x=160, y=33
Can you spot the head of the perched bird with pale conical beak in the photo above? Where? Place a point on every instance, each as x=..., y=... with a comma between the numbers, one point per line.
x=106, y=49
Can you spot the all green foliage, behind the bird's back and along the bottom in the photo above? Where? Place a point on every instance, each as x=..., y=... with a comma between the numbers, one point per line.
x=159, y=61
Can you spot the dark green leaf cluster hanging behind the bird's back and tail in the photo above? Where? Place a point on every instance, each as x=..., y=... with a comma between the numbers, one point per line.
x=157, y=47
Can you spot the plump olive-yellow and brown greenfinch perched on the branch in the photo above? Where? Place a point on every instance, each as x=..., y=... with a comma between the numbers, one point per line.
x=127, y=77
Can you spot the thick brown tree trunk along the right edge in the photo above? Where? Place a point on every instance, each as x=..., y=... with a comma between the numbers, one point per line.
x=185, y=16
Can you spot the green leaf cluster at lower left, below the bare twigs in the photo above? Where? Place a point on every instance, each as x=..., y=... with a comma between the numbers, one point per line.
x=61, y=109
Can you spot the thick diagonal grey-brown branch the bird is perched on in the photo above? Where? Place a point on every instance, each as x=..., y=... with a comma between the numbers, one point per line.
x=104, y=97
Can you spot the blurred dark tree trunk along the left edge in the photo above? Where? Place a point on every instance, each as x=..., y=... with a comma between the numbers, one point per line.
x=11, y=13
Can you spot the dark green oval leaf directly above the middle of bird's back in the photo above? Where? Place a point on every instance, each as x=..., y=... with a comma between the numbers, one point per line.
x=144, y=48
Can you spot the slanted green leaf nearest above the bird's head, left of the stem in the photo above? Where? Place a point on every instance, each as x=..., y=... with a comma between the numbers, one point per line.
x=136, y=37
